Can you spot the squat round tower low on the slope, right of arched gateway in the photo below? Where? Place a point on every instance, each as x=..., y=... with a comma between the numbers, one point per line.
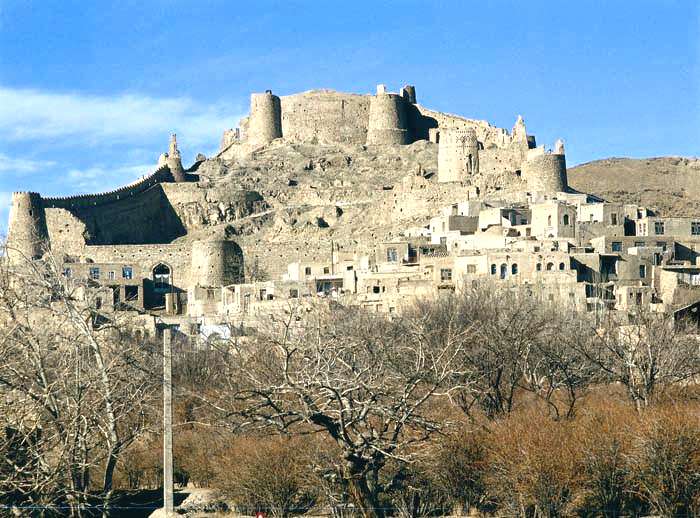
x=216, y=263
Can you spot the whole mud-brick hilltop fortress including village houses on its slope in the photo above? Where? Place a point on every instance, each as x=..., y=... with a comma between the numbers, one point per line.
x=372, y=198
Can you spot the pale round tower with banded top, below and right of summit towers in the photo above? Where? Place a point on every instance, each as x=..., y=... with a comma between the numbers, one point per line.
x=458, y=154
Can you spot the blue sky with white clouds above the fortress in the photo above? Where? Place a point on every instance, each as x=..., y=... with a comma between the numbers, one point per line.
x=90, y=91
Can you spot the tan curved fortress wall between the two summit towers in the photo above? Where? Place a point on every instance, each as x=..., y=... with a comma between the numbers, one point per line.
x=325, y=117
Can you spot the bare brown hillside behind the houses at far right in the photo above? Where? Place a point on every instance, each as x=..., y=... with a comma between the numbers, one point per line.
x=670, y=185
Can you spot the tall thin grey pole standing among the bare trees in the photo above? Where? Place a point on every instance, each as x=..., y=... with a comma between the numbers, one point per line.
x=167, y=423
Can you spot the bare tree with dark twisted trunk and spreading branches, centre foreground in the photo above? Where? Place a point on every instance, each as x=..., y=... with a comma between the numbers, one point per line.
x=363, y=380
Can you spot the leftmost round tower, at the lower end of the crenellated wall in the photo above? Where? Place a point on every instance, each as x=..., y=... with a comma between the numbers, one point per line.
x=27, y=235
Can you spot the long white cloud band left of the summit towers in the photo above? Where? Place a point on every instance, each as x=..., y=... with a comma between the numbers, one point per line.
x=30, y=114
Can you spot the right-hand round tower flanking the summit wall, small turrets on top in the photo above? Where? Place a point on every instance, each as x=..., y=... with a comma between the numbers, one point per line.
x=388, y=124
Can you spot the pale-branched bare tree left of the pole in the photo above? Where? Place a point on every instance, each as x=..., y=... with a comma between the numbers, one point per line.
x=79, y=381
